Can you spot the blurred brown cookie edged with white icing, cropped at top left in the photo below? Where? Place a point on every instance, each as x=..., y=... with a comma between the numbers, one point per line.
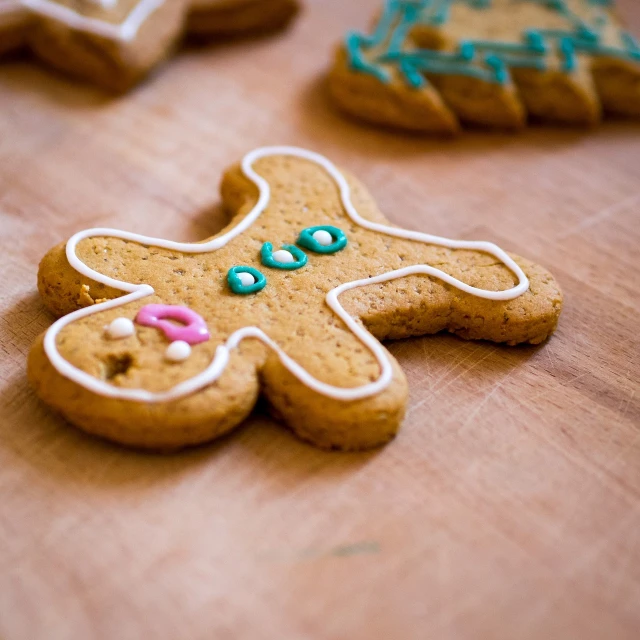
x=114, y=43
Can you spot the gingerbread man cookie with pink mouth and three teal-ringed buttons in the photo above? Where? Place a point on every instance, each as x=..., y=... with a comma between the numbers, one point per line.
x=166, y=344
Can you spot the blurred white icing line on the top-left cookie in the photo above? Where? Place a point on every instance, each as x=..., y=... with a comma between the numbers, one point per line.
x=124, y=32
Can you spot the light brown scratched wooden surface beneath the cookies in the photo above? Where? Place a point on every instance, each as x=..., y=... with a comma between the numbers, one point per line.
x=508, y=507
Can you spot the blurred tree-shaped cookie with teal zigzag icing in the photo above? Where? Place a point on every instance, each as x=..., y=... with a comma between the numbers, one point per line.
x=430, y=65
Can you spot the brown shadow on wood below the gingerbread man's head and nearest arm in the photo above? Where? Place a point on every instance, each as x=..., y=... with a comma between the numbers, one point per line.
x=71, y=458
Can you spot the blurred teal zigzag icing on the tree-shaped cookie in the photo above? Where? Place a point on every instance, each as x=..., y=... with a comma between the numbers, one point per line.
x=486, y=60
